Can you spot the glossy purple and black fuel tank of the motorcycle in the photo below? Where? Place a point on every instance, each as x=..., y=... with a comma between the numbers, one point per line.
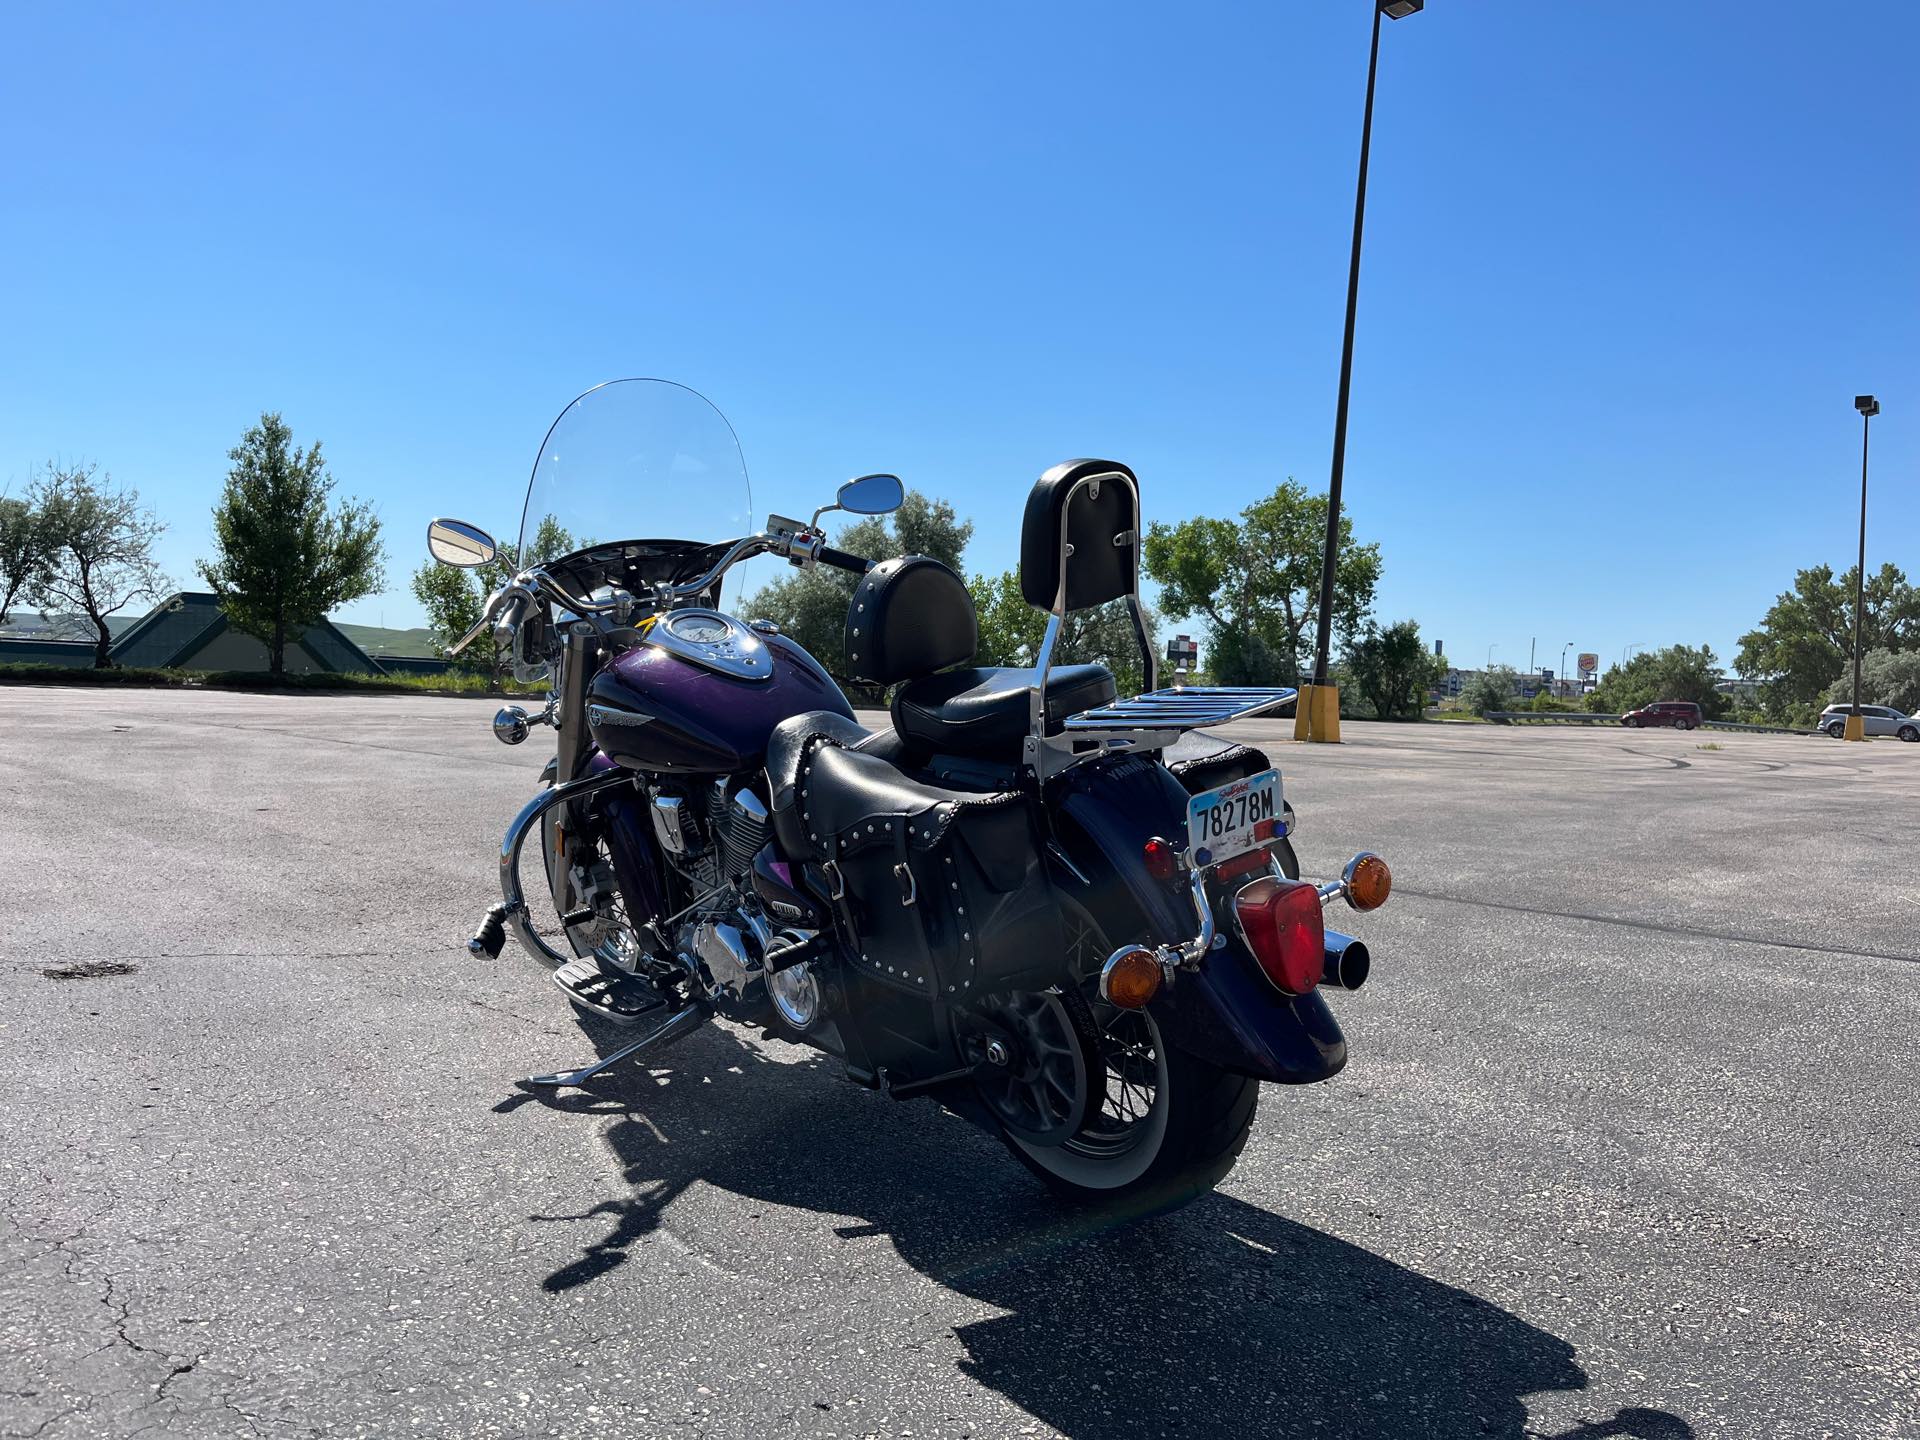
x=656, y=711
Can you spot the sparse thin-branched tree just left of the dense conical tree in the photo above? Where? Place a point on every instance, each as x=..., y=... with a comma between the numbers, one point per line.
x=99, y=550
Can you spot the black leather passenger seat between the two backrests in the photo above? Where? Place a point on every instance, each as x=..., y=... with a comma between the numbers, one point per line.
x=988, y=711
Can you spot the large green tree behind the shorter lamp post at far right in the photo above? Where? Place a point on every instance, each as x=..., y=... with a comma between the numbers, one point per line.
x=1806, y=640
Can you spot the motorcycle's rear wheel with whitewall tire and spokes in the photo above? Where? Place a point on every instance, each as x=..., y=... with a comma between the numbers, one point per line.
x=1151, y=1126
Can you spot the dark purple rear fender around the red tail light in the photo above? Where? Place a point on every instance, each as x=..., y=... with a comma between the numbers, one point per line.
x=1226, y=1011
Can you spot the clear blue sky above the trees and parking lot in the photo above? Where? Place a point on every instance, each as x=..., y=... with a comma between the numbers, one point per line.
x=1627, y=266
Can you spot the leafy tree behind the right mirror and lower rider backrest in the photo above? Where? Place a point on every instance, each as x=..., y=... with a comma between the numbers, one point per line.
x=811, y=606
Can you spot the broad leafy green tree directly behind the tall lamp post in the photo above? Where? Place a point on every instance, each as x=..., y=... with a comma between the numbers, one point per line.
x=1257, y=583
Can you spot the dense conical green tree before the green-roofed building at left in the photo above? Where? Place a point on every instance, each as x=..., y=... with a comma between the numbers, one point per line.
x=285, y=556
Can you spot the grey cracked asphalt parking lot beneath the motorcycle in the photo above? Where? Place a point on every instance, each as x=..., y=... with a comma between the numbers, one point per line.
x=1629, y=1143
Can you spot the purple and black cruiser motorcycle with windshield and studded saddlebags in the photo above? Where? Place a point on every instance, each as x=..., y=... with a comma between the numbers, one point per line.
x=1070, y=917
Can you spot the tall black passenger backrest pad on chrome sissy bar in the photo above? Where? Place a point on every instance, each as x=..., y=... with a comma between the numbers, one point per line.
x=1101, y=525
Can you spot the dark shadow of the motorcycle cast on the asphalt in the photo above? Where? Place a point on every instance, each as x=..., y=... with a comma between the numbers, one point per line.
x=1218, y=1318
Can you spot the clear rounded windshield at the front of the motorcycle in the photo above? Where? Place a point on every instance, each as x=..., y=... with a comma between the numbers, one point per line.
x=636, y=460
